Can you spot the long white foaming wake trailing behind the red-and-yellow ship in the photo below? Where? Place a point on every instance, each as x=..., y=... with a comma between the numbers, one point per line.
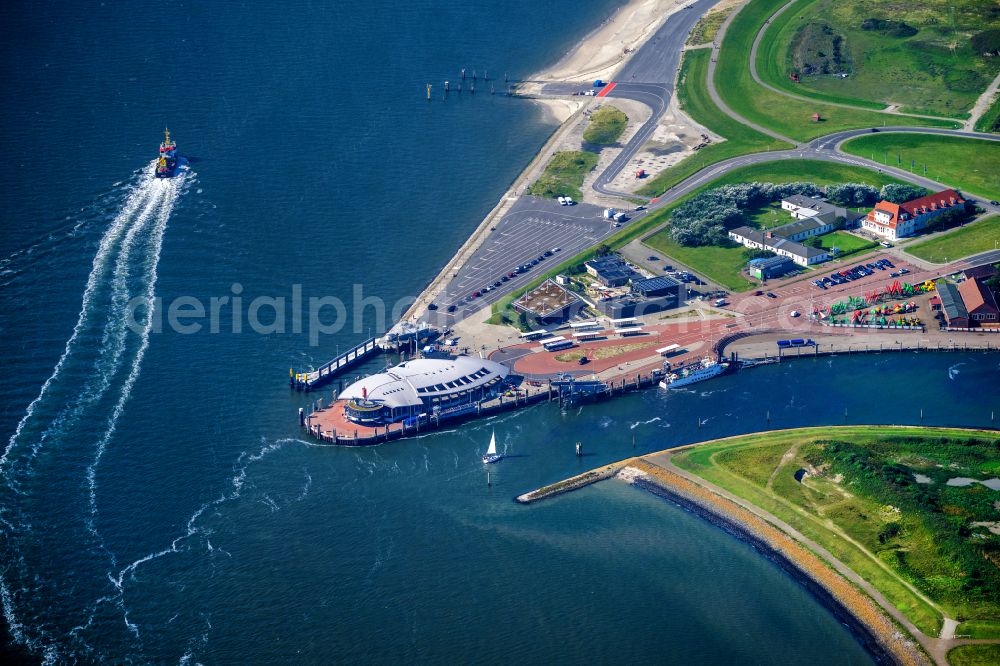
x=55, y=565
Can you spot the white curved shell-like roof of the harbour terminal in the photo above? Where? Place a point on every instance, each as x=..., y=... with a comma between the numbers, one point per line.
x=406, y=383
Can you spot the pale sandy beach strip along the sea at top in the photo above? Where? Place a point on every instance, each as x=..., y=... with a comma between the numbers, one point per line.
x=601, y=52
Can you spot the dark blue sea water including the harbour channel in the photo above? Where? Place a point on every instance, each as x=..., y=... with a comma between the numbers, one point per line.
x=157, y=502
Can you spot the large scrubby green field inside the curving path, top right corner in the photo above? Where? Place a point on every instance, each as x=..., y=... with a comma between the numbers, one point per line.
x=924, y=72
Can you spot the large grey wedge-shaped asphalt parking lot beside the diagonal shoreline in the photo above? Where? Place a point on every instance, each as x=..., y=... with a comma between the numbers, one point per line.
x=533, y=226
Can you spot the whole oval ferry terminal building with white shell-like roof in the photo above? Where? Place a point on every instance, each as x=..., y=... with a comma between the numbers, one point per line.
x=422, y=386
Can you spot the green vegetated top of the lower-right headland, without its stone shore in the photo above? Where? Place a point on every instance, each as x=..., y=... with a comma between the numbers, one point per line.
x=859, y=499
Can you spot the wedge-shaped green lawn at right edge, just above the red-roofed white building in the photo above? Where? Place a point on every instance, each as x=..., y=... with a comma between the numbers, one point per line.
x=971, y=165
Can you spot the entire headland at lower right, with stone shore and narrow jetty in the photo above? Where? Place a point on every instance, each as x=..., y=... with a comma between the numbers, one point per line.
x=828, y=486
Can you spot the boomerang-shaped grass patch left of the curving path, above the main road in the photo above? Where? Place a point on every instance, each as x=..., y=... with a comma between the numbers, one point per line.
x=694, y=99
